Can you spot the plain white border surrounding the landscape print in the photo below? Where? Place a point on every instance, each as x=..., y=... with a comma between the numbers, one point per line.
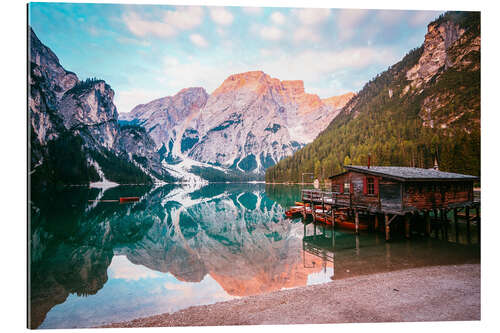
x=13, y=152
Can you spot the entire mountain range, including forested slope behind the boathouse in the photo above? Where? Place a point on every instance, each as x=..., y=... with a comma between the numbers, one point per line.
x=422, y=109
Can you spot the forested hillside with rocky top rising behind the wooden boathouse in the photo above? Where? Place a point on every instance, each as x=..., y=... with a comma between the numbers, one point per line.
x=425, y=107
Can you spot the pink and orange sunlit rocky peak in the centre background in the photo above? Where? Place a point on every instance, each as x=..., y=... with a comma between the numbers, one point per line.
x=247, y=124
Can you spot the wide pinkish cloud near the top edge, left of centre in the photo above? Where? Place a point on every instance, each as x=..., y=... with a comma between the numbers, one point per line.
x=172, y=21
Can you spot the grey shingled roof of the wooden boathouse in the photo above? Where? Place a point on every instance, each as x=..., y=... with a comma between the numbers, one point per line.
x=409, y=174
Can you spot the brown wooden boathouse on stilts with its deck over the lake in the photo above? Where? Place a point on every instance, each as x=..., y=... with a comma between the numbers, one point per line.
x=393, y=193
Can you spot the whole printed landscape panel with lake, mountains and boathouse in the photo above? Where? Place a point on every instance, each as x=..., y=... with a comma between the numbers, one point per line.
x=204, y=166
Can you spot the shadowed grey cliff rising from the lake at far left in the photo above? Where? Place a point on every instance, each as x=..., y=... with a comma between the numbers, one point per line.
x=74, y=128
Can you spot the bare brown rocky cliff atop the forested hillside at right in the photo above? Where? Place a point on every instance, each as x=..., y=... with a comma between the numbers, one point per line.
x=451, y=52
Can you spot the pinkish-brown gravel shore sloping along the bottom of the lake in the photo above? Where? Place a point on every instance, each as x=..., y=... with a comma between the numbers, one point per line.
x=437, y=293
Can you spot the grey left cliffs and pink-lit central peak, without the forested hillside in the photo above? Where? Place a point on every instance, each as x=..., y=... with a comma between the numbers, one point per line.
x=250, y=122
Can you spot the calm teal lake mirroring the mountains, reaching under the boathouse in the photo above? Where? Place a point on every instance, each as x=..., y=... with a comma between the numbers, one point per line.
x=94, y=262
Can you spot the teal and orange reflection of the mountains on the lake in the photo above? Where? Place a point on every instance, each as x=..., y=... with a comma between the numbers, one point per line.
x=235, y=233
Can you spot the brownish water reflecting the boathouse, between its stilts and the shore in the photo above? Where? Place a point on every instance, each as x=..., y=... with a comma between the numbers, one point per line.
x=349, y=254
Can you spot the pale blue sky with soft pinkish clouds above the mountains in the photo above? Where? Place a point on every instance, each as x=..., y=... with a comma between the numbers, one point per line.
x=151, y=51
